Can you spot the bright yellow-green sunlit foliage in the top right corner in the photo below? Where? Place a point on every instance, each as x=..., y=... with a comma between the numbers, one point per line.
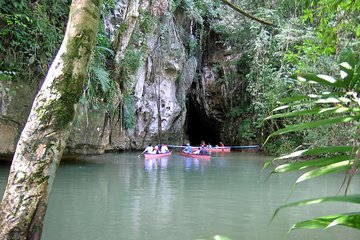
x=336, y=24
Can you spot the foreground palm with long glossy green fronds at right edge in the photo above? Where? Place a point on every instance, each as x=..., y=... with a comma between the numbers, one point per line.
x=338, y=105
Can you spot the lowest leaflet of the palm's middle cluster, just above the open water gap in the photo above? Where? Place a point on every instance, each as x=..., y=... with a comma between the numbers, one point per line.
x=332, y=168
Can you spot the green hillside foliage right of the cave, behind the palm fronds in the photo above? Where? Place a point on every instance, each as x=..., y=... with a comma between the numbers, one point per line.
x=266, y=56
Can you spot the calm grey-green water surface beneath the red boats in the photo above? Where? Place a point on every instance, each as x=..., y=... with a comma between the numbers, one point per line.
x=122, y=196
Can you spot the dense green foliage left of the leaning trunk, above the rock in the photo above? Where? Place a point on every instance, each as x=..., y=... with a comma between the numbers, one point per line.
x=30, y=34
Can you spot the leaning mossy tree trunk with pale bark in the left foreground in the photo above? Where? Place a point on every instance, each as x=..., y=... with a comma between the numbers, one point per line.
x=44, y=137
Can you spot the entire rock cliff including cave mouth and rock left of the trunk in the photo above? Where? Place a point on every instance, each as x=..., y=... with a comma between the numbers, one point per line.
x=173, y=88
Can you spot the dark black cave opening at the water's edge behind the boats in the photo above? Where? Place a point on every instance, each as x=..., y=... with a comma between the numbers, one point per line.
x=199, y=127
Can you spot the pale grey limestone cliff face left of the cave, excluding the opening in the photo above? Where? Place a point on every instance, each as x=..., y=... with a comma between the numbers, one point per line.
x=160, y=88
